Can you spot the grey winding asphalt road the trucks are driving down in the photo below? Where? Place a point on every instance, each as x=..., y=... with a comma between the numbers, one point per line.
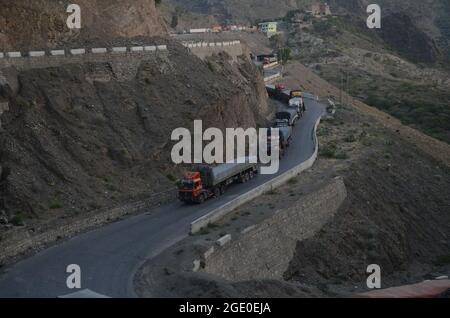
x=110, y=256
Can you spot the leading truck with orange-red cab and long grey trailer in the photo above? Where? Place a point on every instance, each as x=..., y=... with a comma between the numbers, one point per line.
x=205, y=181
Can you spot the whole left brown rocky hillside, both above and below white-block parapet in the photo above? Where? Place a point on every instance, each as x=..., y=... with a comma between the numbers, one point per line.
x=77, y=137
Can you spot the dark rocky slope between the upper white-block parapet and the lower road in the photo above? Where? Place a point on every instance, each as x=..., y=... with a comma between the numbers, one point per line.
x=76, y=139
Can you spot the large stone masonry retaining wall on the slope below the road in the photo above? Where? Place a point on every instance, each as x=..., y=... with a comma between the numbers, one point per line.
x=265, y=250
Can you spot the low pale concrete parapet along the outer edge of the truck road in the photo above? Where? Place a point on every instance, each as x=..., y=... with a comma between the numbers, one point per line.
x=222, y=211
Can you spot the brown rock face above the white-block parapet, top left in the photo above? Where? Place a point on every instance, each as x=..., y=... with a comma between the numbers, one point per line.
x=42, y=23
